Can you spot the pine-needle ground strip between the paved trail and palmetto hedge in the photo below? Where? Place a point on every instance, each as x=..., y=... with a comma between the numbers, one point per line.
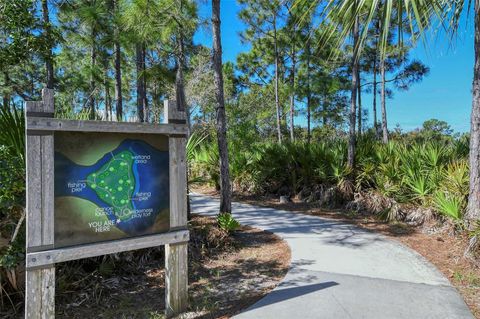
x=443, y=249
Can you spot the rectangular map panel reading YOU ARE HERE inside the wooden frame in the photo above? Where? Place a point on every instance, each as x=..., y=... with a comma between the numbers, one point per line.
x=110, y=186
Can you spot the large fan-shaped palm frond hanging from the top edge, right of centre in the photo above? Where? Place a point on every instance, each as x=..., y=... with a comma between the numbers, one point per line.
x=400, y=19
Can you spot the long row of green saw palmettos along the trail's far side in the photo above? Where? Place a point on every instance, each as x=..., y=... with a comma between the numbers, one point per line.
x=432, y=174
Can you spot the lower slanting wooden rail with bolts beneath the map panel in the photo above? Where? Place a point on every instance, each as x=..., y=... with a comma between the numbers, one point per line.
x=48, y=257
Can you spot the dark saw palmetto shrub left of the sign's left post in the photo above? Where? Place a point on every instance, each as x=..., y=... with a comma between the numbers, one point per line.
x=12, y=203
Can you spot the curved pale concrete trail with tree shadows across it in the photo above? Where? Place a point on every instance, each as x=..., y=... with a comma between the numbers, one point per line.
x=341, y=271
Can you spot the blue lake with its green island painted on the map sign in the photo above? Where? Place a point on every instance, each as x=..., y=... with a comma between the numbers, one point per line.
x=129, y=185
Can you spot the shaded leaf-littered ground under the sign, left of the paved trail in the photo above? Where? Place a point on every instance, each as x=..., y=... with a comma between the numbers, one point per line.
x=226, y=275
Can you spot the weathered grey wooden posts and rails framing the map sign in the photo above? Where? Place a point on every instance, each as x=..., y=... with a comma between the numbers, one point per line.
x=42, y=256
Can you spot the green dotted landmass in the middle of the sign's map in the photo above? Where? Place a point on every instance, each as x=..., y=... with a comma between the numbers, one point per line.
x=114, y=183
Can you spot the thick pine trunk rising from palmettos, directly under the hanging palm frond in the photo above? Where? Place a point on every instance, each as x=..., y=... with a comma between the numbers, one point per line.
x=353, y=99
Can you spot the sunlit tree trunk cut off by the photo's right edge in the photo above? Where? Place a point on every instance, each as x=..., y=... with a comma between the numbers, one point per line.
x=473, y=208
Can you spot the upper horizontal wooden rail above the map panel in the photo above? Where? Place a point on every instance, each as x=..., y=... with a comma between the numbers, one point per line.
x=50, y=124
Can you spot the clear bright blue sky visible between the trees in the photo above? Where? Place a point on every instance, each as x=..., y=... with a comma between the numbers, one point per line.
x=445, y=94
